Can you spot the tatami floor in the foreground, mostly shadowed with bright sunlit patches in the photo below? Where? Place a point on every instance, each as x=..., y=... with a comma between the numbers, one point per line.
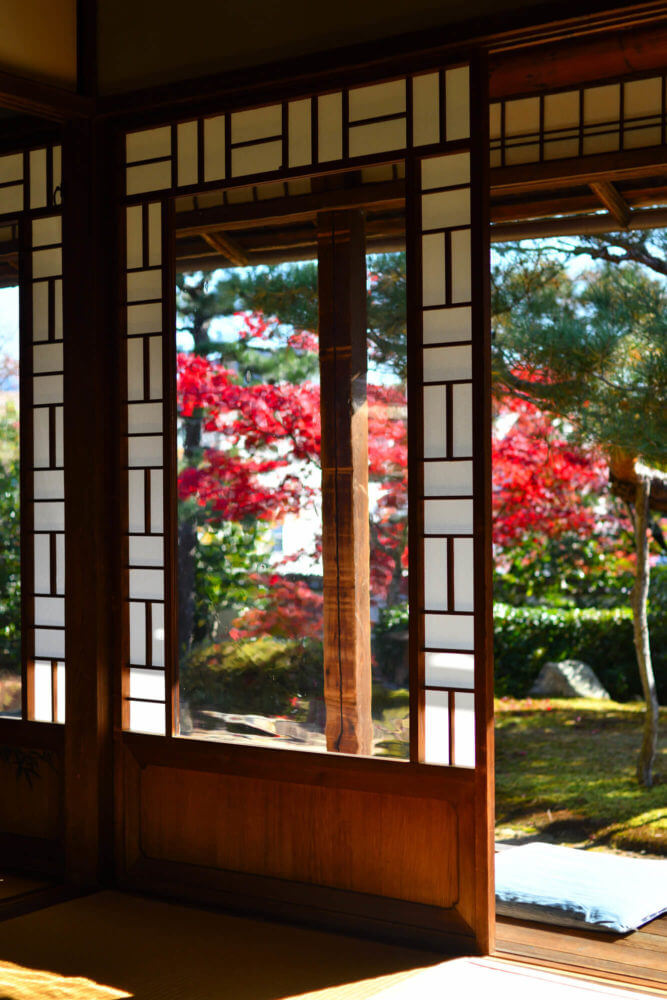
x=112, y=945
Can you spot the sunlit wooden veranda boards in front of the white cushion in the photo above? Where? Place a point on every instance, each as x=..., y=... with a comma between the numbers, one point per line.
x=640, y=957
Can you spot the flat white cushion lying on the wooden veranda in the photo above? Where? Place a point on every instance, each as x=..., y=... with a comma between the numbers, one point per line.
x=575, y=888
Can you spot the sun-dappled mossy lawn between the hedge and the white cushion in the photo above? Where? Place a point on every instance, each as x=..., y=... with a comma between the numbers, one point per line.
x=565, y=772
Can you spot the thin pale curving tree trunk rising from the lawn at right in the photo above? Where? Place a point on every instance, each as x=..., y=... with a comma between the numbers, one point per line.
x=649, y=746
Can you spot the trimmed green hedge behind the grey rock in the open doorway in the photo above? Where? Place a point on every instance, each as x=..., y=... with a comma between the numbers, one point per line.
x=526, y=638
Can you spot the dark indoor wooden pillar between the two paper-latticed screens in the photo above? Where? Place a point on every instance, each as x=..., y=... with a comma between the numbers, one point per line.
x=91, y=531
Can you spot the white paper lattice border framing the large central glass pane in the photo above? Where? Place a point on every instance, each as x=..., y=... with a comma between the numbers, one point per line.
x=426, y=121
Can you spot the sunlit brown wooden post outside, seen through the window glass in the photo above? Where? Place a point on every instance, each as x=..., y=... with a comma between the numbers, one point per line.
x=345, y=539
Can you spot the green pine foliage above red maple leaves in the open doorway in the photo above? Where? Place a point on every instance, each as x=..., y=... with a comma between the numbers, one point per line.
x=591, y=349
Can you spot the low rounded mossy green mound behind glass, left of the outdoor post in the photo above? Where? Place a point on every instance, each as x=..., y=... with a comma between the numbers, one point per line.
x=255, y=676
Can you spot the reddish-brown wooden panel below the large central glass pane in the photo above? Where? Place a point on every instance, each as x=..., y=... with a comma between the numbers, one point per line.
x=377, y=843
